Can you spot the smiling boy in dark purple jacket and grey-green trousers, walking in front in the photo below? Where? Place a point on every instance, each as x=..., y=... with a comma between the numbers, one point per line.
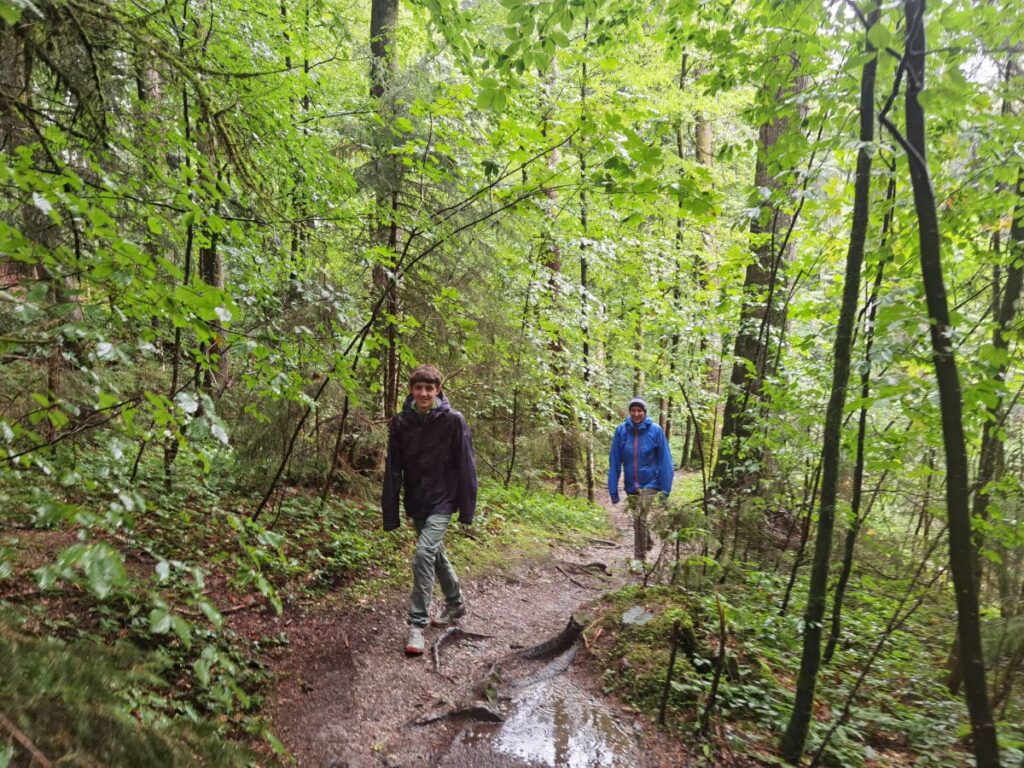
x=431, y=457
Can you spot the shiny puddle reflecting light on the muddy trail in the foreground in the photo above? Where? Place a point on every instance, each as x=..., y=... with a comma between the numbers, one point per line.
x=553, y=724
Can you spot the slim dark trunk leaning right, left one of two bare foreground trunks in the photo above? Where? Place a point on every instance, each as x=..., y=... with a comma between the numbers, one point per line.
x=796, y=733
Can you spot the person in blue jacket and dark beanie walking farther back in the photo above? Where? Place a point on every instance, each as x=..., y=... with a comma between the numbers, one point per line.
x=641, y=448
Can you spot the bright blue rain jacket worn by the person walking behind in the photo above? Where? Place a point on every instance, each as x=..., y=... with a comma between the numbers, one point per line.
x=642, y=453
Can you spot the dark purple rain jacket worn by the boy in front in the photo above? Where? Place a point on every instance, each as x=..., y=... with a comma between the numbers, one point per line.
x=432, y=459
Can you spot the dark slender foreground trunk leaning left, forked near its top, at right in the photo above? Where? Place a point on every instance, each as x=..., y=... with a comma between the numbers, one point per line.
x=962, y=554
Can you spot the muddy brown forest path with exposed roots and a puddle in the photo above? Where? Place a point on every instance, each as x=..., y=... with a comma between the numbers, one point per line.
x=347, y=697
